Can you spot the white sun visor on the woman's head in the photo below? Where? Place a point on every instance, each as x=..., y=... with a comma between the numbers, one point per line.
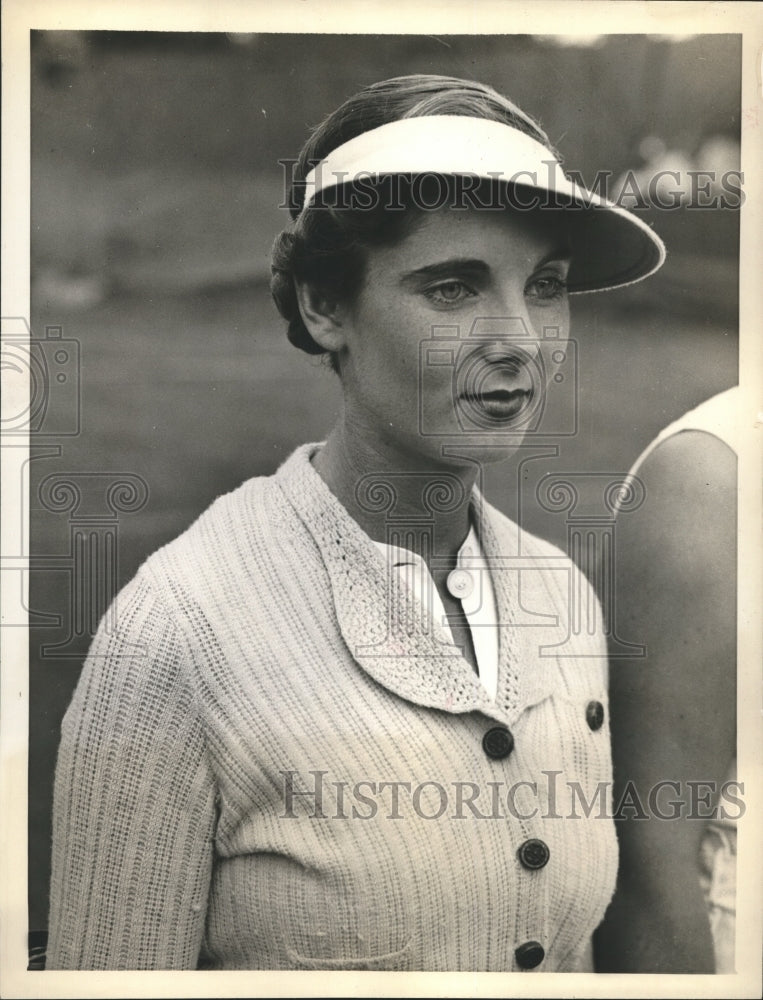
x=611, y=247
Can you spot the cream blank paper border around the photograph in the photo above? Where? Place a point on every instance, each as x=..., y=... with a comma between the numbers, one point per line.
x=392, y=17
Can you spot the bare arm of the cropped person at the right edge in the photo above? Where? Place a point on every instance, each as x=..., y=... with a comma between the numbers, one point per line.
x=673, y=713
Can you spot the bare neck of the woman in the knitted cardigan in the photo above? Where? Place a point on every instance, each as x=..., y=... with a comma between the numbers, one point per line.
x=395, y=495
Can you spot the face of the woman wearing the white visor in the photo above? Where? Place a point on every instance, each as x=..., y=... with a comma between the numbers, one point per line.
x=456, y=332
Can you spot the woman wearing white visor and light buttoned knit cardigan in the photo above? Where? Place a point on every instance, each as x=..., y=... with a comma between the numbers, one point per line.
x=328, y=729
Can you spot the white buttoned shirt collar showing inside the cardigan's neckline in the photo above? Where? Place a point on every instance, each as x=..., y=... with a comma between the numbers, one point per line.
x=470, y=583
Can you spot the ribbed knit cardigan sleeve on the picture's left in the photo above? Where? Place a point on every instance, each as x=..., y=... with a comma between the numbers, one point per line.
x=134, y=802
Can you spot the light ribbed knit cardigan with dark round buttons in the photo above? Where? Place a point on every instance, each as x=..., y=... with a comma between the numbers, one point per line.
x=267, y=764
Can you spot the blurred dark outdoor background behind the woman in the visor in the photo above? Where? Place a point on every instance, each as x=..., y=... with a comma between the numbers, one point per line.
x=155, y=194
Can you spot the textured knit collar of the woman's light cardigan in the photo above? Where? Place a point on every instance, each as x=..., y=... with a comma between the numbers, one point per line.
x=387, y=631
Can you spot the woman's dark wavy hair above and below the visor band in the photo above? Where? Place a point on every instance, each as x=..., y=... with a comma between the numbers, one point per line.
x=327, y=246
